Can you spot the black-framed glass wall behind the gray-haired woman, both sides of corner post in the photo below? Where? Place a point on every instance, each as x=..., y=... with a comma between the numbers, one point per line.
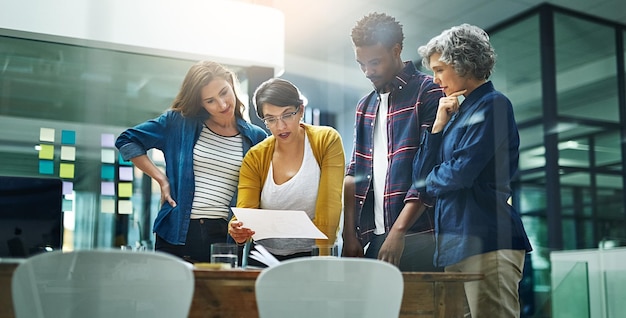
x=579, y=104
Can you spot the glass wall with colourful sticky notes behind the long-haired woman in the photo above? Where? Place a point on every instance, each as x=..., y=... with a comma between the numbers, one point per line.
x=61, y=108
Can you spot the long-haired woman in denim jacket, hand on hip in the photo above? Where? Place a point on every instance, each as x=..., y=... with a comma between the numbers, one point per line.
x=203, y=128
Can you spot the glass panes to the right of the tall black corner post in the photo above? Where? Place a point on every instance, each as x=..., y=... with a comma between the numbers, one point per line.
x=590, y=149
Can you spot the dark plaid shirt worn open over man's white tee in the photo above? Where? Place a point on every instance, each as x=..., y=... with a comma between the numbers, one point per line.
x=411, y=89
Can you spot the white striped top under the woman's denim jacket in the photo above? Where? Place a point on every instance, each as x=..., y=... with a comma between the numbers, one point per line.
x=216, y=163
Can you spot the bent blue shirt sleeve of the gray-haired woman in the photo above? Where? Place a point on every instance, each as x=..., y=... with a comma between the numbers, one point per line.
x=479, y=147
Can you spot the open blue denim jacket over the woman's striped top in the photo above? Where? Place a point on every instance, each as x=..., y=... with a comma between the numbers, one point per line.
x=176, y=136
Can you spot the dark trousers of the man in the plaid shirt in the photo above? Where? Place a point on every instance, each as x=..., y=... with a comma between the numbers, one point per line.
x=419, y=250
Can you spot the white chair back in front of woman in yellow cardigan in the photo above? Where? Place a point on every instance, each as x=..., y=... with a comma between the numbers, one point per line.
x=320, y=287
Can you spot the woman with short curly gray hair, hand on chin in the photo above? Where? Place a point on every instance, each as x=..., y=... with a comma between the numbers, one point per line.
x=464, y=168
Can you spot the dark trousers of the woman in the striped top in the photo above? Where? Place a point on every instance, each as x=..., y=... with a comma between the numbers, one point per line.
x=197, y=248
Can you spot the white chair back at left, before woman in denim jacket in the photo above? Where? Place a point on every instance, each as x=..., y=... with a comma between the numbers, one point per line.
x=102, y=283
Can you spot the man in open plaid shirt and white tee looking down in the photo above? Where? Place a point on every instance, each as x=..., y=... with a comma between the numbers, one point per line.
x=389, y=122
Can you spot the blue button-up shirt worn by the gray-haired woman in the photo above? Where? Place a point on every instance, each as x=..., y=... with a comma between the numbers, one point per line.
x=466, y=170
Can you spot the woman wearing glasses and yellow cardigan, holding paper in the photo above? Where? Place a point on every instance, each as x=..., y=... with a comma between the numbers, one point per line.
x=299, y=167
